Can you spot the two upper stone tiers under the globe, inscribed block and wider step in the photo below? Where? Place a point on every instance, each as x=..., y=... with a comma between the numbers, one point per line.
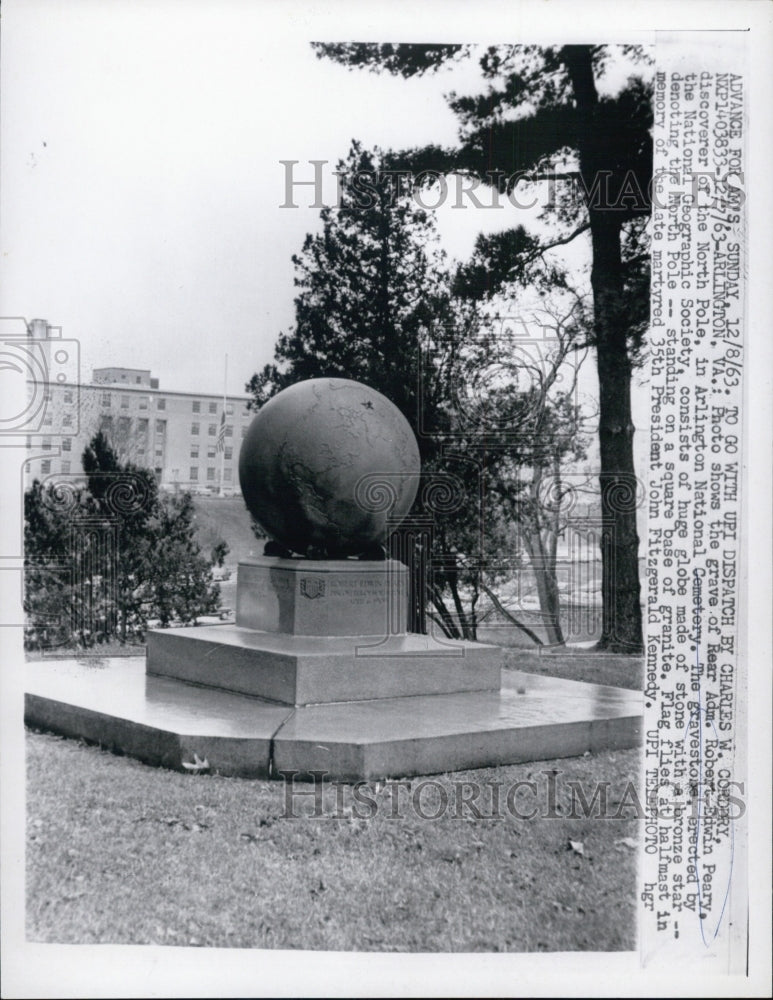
x=317, y=632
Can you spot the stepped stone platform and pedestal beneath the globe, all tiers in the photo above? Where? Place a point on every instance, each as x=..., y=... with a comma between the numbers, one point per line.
x=369, y=703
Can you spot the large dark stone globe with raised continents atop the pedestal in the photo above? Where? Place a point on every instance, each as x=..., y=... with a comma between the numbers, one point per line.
x=328, y=467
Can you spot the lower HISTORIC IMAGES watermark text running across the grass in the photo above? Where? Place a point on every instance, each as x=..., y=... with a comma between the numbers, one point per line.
x=548, y=794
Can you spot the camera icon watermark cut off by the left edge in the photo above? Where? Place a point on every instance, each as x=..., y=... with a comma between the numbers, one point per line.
x=40, y=372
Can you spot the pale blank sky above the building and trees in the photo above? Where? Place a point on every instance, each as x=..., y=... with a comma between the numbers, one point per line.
x=142, y=176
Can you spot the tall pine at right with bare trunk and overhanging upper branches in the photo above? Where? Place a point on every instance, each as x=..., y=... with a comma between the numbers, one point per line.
x=543, y=107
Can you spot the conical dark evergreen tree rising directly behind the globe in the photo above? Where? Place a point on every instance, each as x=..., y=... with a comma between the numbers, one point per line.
x=372, y=285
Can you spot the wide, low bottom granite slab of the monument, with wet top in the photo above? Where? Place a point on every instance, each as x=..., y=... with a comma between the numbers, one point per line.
x=172, y=723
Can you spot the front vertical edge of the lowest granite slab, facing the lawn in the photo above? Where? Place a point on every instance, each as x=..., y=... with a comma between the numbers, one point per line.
x=353, y=758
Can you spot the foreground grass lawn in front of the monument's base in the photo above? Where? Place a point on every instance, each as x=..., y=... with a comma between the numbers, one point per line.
x=121, y=853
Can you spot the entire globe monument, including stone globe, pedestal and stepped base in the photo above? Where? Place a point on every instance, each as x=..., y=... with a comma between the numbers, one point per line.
x=318, y=676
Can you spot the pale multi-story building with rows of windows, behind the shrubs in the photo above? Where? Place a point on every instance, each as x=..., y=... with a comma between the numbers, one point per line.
x=191, y=440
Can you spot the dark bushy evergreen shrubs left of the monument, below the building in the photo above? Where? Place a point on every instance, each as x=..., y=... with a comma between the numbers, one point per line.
x=104, y=558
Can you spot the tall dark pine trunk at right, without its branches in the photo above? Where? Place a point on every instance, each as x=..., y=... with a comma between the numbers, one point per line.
x=621, y=610
